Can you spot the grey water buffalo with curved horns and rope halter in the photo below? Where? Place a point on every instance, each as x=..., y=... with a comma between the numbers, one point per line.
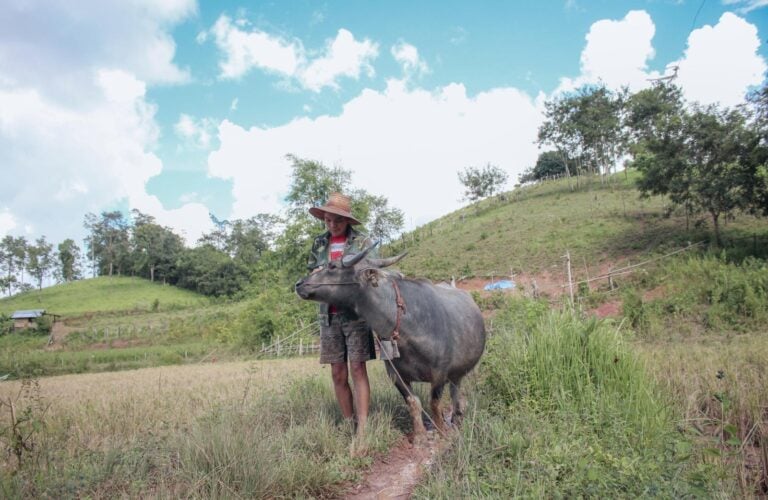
x=440, y=332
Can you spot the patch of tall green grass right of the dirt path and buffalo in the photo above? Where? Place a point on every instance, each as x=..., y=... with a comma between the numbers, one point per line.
x=564, y=409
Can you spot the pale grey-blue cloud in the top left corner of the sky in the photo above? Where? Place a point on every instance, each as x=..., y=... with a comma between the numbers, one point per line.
x=55, y=47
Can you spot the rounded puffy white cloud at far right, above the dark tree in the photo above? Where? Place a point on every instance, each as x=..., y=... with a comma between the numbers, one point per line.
x=721, y=62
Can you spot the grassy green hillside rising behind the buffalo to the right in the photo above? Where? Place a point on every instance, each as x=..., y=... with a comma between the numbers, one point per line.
x=529, y=230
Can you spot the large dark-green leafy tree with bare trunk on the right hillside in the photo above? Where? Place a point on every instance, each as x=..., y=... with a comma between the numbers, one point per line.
x=699, y=158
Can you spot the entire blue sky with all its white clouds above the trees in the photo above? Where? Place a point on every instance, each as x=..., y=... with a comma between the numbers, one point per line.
x=184, y=107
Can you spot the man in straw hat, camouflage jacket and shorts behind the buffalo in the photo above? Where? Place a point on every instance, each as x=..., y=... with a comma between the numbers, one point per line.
x=344, y=338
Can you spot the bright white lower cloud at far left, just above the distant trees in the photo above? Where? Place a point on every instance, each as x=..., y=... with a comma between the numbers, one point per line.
x=82, y=161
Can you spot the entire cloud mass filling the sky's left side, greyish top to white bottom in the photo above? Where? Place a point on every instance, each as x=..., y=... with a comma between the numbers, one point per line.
x=76, y=130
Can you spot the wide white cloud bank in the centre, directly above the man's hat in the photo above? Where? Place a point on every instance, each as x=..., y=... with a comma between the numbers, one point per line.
x=405, y=144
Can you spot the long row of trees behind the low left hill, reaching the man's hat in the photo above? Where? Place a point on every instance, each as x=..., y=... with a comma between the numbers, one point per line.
x=264, y=249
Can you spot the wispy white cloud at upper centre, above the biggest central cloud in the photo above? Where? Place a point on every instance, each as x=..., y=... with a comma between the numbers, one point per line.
x=244, y=50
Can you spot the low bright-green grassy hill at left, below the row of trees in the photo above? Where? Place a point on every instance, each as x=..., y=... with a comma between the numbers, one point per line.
x=102, y=294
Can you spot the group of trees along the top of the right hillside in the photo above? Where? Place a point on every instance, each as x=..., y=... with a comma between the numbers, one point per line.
x=707, y=159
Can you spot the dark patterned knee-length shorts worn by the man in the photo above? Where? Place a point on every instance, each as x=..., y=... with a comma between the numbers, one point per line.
x=346, y=340
